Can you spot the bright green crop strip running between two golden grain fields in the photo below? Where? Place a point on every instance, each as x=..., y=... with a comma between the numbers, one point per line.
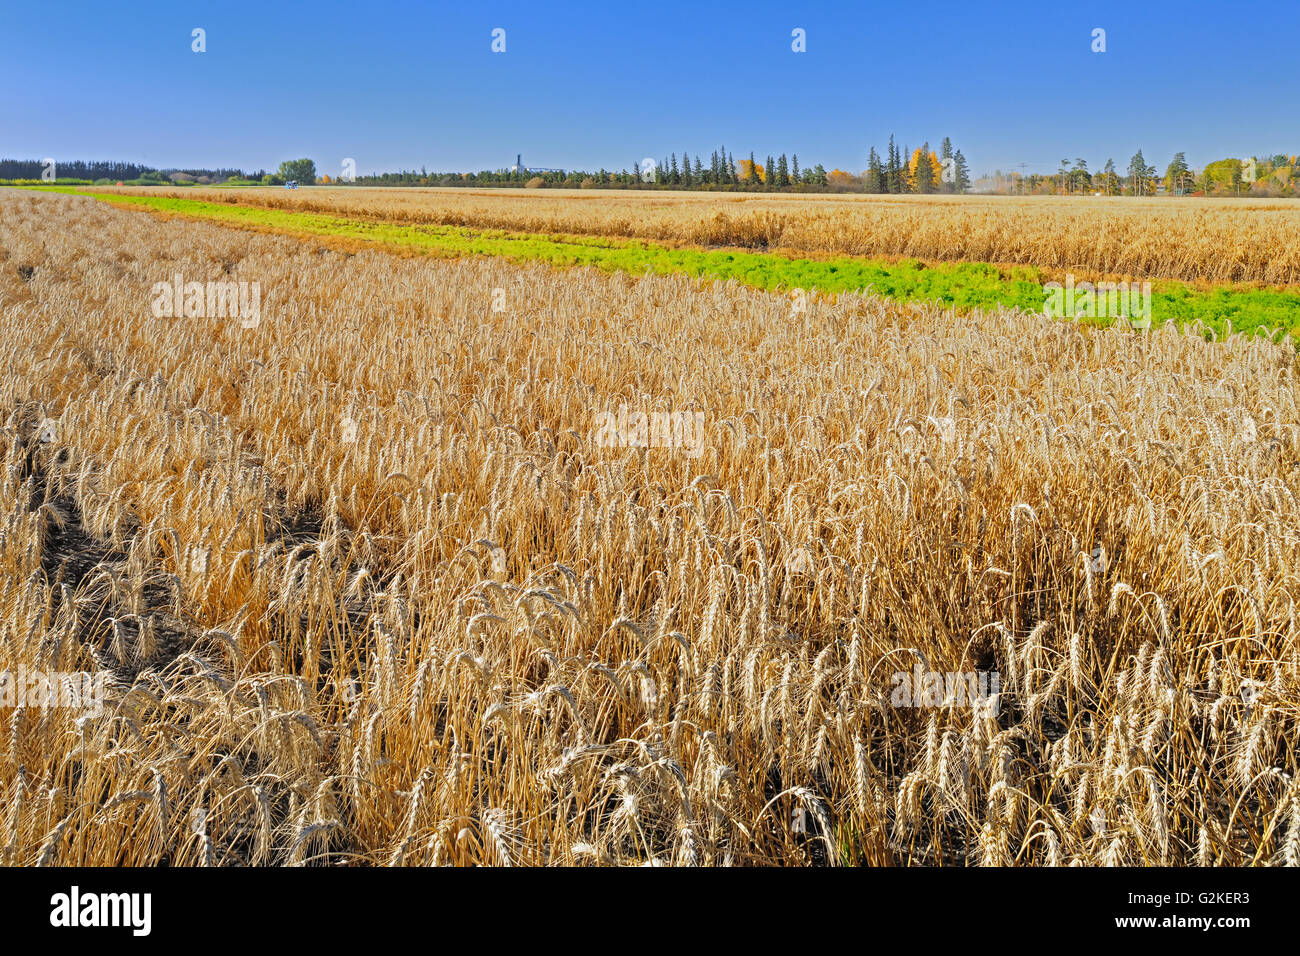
x=957, y=285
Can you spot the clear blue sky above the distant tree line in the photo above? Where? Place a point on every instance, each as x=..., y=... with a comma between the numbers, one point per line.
x=590, y=85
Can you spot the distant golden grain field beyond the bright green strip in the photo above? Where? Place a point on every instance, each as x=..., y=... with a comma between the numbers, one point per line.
x=1191, y=240
